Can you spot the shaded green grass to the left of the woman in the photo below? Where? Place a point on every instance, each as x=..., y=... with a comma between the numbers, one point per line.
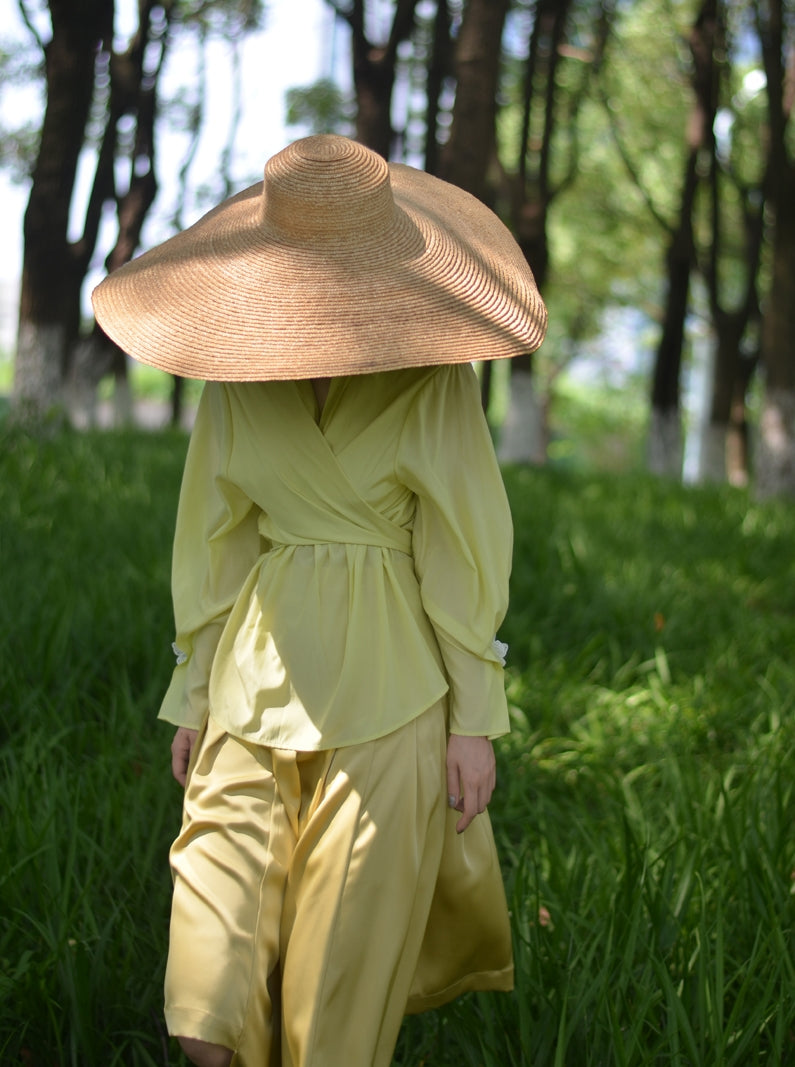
x=86, y=528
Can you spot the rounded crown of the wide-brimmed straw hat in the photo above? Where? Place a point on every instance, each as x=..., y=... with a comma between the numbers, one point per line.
x=328, y=188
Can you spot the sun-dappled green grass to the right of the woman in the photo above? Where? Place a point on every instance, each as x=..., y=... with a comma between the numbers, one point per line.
x=645, y=808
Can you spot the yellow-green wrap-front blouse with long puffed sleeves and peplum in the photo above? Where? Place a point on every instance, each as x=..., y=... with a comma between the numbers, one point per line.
x=337, y=574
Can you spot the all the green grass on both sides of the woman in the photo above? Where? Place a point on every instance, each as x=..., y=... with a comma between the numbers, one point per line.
x=645, y=810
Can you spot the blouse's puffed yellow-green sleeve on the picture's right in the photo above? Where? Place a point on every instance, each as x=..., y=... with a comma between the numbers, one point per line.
x=463, y=543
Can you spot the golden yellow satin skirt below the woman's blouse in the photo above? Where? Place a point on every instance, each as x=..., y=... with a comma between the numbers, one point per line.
x=319, y=897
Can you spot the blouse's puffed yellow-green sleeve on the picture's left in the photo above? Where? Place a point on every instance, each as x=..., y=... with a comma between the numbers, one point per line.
x=216, y=545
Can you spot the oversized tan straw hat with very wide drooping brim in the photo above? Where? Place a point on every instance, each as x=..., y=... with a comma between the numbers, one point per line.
x=337, y=264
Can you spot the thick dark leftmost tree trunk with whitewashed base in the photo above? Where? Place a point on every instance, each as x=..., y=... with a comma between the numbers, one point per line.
x=53, y=273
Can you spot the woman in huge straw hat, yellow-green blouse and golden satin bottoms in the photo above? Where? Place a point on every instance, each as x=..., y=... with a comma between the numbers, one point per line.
x=341, y=569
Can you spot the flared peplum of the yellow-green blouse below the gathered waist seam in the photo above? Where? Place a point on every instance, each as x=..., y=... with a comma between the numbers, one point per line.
x=327, y=645
